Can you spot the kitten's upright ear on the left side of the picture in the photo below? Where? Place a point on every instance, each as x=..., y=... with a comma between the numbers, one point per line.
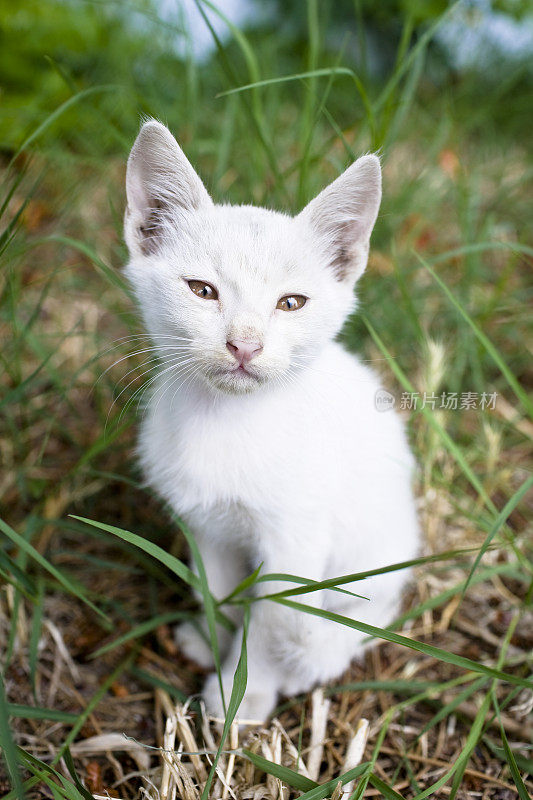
x=160, y=185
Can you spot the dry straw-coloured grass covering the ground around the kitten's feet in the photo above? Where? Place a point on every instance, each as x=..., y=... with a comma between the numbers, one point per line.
x=139, y=739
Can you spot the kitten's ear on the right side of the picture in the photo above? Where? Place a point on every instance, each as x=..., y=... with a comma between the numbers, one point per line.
x=343, y=215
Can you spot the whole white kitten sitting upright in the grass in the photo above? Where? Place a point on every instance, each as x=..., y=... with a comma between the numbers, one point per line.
x=262, y=432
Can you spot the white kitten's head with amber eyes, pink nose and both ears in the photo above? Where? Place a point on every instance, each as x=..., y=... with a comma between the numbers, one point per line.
x=239, y=296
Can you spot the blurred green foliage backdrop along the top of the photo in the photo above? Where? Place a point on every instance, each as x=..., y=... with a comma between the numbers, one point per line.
x=50, y=50
